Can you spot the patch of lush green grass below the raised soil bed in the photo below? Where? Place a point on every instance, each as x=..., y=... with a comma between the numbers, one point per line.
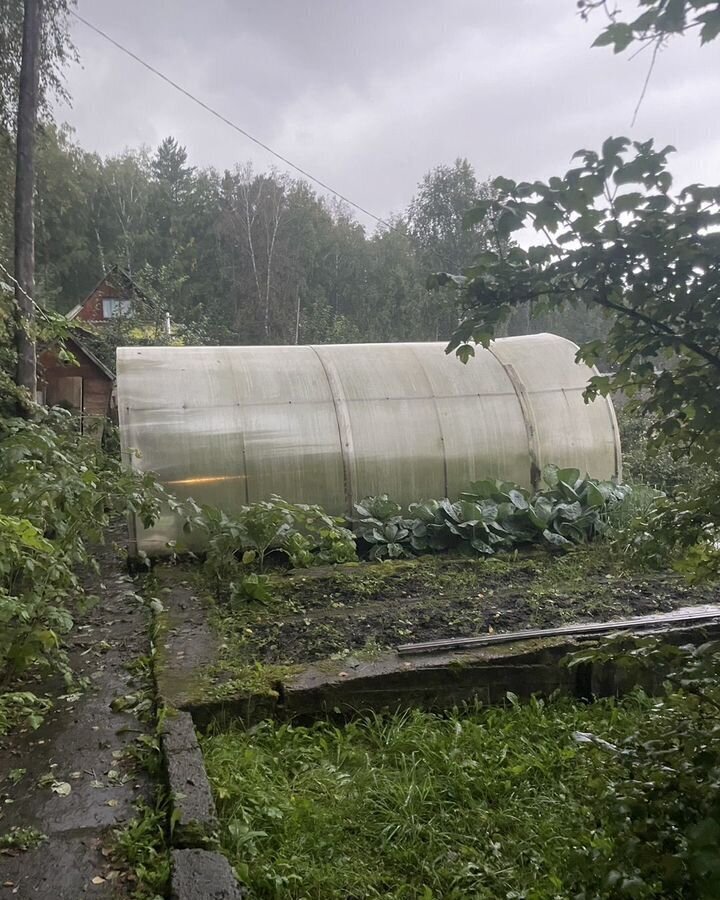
x=489, y=804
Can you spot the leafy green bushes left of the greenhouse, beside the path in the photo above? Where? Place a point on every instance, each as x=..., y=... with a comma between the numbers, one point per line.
x=58, y=492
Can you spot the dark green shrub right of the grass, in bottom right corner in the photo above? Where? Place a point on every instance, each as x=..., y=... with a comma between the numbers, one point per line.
x=664, y=802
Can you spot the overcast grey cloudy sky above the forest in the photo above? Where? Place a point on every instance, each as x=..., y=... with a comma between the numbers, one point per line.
x=369, y=96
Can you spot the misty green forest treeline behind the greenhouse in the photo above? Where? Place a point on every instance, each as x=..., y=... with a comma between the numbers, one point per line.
x=251, y=257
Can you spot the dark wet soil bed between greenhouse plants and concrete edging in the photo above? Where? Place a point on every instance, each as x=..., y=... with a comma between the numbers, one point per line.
x=369, y=607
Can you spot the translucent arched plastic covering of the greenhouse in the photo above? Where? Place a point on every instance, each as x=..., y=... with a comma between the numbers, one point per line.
x=334, y=423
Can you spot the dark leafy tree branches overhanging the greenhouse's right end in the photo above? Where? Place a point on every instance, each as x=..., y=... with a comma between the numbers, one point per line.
x=617, y=241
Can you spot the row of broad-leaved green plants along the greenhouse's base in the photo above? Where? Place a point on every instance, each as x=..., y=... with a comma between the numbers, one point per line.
x=491, y=516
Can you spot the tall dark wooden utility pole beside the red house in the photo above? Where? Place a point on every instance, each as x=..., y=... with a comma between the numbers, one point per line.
x=24, y=185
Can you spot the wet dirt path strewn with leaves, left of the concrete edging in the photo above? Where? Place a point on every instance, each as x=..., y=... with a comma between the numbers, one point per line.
x=82, y=745
